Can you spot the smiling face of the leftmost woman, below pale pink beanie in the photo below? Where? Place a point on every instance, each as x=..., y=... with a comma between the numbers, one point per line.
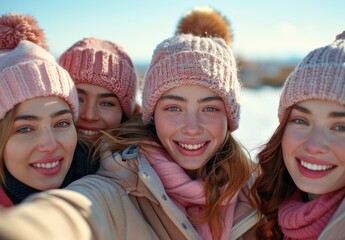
x=41, y=145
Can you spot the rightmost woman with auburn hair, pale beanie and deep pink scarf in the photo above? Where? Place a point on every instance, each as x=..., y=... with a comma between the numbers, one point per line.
x=301, y=189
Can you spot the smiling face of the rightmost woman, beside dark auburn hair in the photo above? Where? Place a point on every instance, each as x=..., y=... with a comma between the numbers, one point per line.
x=314, y=146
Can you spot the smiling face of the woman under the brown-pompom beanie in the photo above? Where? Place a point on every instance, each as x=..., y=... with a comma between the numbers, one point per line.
x=191, y=123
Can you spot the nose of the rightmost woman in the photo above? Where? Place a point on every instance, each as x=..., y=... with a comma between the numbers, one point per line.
x=316, y=142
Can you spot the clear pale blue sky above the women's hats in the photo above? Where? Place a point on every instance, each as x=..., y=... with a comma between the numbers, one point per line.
x=263, y=29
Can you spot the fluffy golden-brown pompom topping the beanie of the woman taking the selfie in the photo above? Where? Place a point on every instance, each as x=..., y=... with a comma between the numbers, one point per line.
x=205, y=21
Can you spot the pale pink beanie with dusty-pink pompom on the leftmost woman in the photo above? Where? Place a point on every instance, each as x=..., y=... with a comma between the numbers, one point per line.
x=26, y=69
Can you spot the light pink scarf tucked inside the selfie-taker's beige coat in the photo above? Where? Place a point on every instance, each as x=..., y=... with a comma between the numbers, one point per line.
x=187, y=194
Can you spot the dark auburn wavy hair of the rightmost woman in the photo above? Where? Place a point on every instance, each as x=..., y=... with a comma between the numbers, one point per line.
x=273, y=185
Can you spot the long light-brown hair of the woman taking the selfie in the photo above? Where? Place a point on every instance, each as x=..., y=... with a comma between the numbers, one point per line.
x=228, y=169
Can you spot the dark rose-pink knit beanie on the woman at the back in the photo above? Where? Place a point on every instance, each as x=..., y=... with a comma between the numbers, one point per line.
x=105, y=64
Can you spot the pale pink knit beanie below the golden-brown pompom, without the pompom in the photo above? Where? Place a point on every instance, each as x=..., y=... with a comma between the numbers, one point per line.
x=192, y=60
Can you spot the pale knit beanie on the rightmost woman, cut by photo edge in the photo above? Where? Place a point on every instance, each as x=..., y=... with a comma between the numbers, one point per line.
x=320, y=75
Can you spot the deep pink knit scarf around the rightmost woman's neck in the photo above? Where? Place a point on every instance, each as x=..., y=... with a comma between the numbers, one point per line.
x=306, y=220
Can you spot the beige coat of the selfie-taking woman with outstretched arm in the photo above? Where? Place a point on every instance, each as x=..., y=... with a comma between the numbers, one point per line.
x=125, y=200
